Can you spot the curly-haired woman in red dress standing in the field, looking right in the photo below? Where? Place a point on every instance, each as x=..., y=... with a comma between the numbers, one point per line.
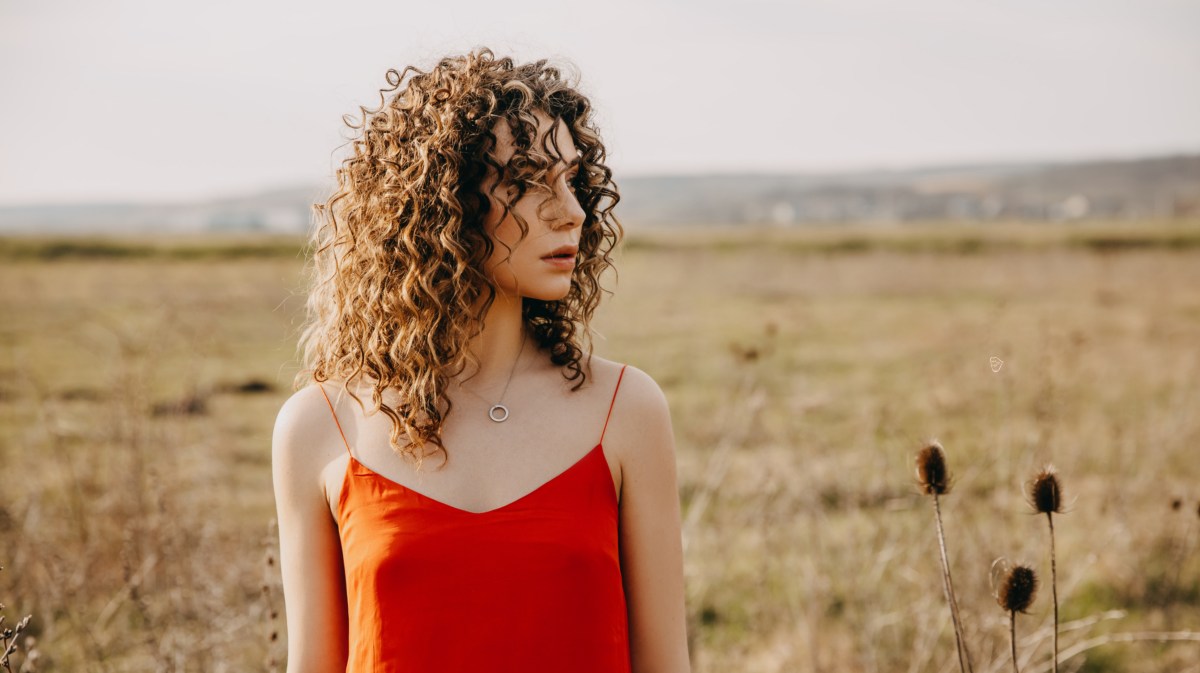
x=464, y=486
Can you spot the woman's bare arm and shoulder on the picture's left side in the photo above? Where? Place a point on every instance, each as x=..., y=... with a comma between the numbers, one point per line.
x=310, y=550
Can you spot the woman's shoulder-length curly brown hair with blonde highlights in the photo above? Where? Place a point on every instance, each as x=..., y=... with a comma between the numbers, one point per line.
x=397, y=275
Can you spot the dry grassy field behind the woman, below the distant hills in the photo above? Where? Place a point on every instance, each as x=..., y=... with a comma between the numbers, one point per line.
x=140, y=382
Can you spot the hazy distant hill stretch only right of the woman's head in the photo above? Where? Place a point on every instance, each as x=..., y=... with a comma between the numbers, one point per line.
x=1151, y=188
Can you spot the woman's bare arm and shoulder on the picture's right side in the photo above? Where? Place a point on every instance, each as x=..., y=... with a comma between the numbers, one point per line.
x=651, y=545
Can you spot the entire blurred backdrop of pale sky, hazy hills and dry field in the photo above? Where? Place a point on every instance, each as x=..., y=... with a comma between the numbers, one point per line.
x=853, y=227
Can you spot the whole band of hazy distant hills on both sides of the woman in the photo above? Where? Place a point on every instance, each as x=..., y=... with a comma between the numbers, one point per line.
x=1161, y=188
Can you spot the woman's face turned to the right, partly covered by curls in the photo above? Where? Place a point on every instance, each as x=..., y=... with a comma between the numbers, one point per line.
x=542, y=265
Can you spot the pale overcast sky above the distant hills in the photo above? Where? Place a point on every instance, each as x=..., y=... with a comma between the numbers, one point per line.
x=165, y=100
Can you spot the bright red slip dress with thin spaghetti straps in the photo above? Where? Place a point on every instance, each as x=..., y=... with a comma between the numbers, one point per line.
x=533, y=586
